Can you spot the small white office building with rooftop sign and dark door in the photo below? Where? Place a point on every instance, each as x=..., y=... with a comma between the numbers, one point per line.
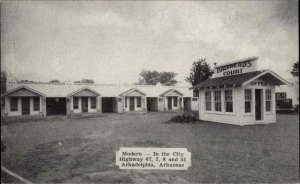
x=239, y=94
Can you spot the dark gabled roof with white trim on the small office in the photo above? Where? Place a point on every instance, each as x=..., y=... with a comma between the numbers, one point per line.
x=242, y=79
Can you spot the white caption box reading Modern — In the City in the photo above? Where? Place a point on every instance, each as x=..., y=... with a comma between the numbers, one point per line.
x=153, y=158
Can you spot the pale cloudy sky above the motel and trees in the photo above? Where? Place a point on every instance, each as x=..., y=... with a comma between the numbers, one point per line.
x=113, y=41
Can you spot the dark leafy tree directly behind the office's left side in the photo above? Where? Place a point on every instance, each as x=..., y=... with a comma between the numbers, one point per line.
x=200, y=71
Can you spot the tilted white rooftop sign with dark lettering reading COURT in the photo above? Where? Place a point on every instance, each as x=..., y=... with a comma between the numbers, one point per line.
x=235, y=68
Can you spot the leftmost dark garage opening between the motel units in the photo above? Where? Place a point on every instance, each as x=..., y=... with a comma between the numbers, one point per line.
x=56, y=106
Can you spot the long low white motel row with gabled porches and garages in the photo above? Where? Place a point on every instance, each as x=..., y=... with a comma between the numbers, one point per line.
x=46, y=99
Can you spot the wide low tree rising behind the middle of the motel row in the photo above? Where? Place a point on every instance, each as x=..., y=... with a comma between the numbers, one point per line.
x=148, y=77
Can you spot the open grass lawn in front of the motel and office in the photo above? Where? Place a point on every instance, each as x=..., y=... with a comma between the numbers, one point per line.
x=82, y=149
